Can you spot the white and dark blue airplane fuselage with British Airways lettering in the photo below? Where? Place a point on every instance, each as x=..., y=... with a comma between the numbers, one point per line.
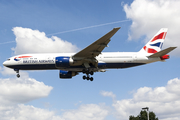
x=106, y=60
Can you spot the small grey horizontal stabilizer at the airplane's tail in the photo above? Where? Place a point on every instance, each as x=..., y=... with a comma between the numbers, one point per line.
x=162, y=52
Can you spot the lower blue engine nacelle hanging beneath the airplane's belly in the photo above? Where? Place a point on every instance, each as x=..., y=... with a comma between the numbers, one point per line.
x=66, y=74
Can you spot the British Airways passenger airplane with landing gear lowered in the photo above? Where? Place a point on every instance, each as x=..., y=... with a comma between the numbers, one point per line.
x=91, y=59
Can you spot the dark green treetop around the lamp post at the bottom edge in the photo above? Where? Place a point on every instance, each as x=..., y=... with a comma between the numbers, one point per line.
x=143, y=116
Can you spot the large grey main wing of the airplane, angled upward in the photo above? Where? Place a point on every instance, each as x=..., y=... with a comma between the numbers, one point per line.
x=97, y=47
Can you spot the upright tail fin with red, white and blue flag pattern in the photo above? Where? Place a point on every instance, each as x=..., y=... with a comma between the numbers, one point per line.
x=155, y=44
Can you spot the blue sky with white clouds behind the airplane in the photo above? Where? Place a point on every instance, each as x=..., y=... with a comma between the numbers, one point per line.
x=68, y=26
